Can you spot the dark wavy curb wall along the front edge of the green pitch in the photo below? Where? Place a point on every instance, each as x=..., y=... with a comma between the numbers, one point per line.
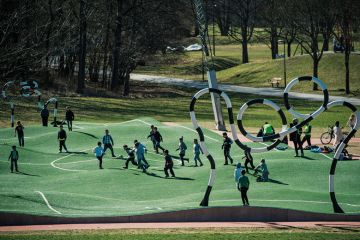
x=211, y=214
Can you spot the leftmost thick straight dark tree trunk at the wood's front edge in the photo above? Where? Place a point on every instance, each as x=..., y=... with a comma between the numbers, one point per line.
x=82, y=49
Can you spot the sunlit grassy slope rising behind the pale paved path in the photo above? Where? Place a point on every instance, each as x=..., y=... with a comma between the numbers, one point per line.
x=260, y=69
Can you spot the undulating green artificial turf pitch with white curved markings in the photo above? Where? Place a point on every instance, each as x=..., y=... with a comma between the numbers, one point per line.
x=74, y=186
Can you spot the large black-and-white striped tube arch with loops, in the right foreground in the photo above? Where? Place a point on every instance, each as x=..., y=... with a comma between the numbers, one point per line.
x=279, y=136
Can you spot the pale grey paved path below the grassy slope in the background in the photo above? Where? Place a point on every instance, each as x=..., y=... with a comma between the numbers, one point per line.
x=273, y=92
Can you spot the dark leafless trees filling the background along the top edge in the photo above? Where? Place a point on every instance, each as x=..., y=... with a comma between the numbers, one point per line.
x=103, y=41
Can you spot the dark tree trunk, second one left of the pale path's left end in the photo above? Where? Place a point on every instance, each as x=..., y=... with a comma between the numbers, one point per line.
x=117, y=45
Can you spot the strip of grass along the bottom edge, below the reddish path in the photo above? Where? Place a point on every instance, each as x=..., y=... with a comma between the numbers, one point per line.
x=178, y=234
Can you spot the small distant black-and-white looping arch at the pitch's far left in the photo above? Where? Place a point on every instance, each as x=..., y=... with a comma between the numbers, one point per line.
x=26, y=89
